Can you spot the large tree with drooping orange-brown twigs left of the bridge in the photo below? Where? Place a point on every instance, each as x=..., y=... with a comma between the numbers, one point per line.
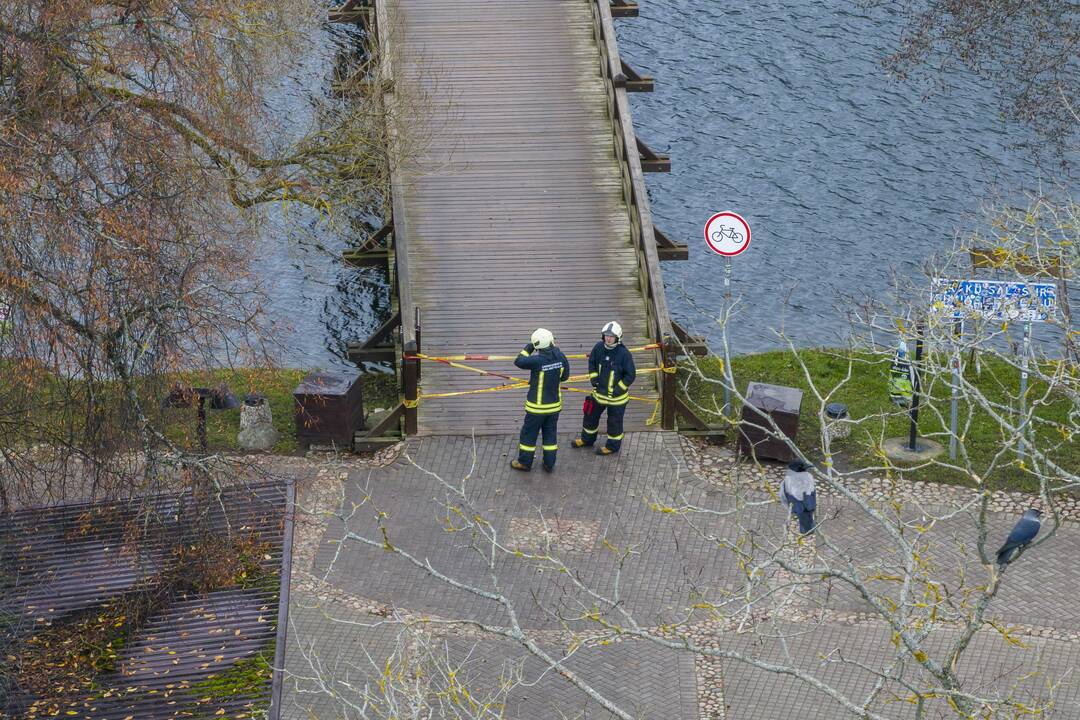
x=134, y=153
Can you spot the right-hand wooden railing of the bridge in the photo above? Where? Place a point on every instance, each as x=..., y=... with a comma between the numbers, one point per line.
x=638, y=203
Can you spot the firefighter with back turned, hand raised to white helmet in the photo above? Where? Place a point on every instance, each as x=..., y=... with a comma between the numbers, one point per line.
x=548, y=369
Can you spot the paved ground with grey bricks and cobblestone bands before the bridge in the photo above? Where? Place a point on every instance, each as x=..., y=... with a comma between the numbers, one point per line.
x=592, y=507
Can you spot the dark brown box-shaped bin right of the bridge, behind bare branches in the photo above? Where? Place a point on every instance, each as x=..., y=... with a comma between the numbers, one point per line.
x=763, y=402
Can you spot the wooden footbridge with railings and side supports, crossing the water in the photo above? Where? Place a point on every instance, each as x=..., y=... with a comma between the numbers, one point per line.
x=528, y=208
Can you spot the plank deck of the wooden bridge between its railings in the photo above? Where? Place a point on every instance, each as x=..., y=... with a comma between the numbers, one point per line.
x=516, y=213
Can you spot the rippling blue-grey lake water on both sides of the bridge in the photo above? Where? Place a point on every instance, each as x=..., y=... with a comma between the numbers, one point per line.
x=780, y=112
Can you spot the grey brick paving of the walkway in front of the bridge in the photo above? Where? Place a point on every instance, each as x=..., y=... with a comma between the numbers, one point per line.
x=590, y=500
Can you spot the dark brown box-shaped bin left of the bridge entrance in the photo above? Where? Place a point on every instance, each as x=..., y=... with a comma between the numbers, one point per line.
x=330, y=410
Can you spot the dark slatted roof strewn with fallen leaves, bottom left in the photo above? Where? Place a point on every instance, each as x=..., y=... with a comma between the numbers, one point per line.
x=106, y=613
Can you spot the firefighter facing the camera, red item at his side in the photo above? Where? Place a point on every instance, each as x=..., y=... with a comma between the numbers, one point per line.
x=612, y=372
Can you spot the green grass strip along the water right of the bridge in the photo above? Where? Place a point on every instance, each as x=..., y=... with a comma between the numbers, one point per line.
x=867, y=396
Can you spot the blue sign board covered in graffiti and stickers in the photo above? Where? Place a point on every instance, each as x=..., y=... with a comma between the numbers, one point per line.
x=996, y=301
